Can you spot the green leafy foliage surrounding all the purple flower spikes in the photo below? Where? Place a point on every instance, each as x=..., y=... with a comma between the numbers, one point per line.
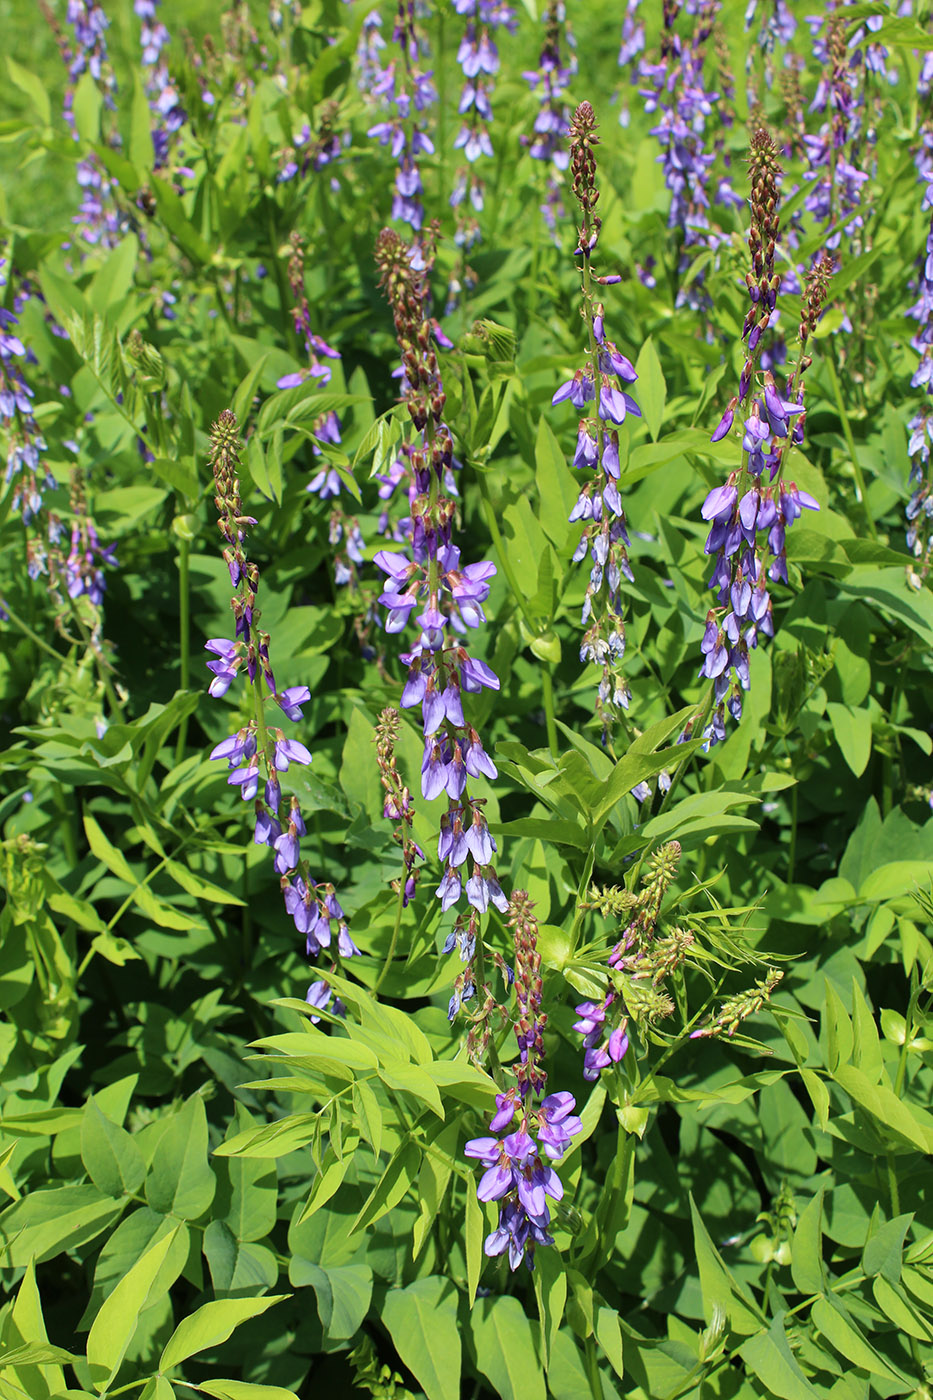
x=209, y=1186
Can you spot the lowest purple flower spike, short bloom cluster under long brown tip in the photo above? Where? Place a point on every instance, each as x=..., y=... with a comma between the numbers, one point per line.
x=519, y=1167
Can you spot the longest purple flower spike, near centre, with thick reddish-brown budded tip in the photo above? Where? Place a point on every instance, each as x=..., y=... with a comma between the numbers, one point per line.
x=443, y=597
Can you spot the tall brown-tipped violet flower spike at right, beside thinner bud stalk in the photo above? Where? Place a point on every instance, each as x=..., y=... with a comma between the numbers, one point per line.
x=746, y=507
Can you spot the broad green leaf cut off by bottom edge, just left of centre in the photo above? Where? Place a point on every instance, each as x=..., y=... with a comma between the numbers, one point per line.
x=422, y=1322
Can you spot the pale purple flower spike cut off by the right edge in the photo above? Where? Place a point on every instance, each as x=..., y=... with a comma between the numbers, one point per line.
x=920, y=509
